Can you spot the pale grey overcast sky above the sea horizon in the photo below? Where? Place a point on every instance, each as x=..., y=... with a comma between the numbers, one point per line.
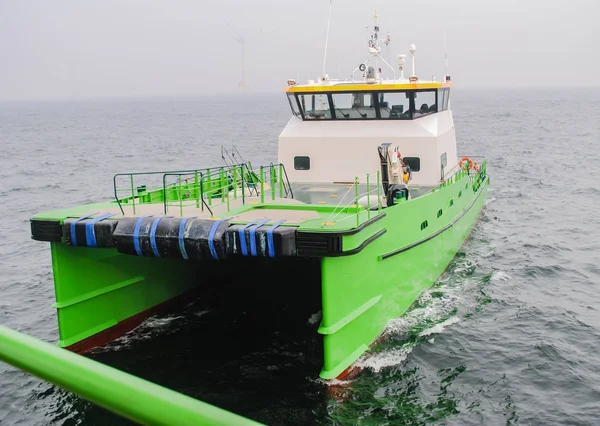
x=91, y=48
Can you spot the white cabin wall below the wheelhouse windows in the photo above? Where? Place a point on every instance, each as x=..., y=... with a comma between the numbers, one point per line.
x=341, y=150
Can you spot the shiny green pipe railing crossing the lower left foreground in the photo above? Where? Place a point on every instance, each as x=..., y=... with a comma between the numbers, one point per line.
x=129, y=396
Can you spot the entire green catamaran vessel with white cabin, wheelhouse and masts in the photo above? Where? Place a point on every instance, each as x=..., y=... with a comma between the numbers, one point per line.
x=368, y=188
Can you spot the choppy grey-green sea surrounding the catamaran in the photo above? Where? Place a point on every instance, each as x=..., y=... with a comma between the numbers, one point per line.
x=508, y=335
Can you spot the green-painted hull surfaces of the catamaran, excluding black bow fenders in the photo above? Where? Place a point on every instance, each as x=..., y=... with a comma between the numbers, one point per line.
x=389, y=256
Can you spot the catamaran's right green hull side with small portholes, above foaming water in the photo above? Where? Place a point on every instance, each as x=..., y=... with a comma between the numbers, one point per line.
x=361, y=293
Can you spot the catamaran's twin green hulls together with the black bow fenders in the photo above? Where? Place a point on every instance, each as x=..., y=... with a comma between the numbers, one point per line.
x=364, y=275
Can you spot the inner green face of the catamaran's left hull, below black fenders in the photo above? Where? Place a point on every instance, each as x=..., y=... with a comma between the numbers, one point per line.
x=101, y=289
